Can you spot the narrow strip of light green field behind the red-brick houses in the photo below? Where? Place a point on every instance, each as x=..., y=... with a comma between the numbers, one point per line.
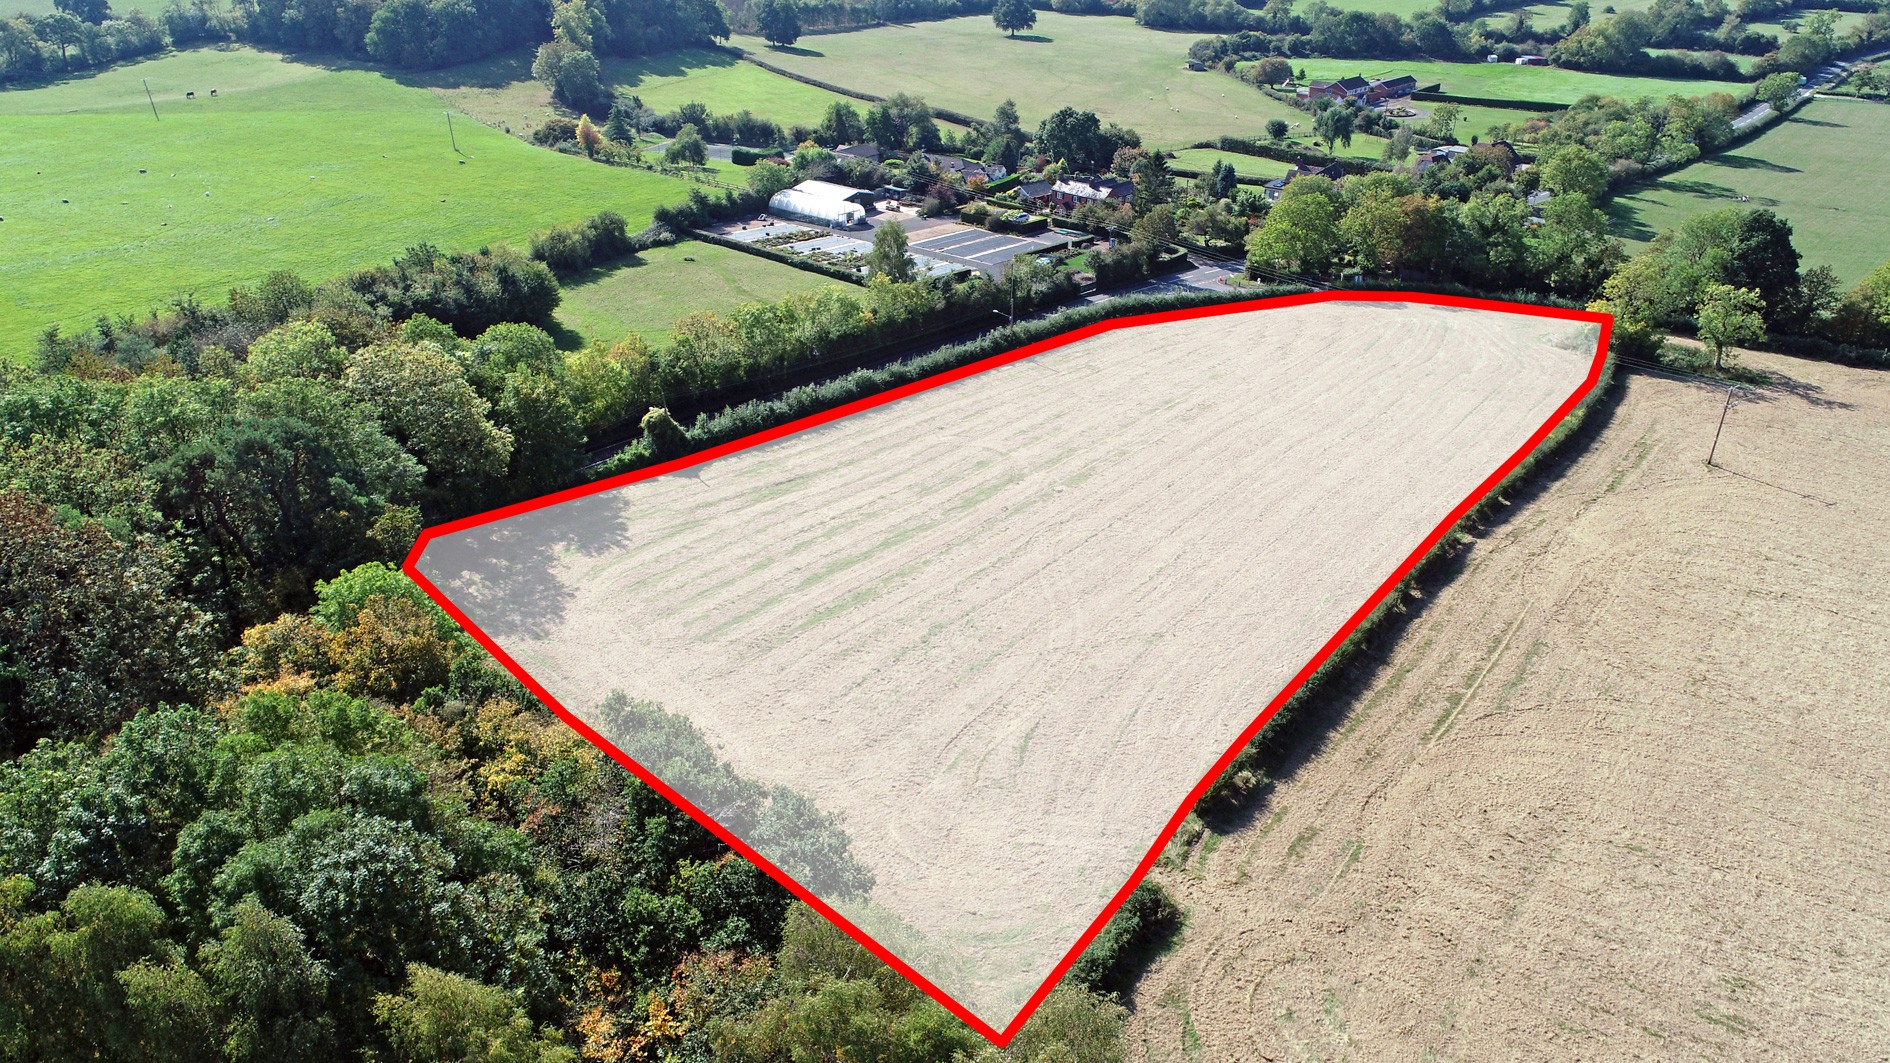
x=1509, y=82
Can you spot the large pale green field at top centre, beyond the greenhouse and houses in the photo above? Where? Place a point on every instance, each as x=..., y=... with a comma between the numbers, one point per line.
x=1112, y=67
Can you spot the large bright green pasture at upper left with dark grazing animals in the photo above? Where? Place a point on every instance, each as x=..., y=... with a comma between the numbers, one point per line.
x=305, y=167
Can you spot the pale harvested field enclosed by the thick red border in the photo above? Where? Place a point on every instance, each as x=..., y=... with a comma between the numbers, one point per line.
x=1003, y=627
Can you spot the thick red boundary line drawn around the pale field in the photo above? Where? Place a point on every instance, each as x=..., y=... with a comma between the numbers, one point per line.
x=1003, y=1037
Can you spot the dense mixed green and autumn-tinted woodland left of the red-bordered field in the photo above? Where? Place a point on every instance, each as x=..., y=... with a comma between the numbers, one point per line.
x=266, y=801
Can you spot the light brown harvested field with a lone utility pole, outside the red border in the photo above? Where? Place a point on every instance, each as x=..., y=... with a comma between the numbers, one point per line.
x=1617, y=792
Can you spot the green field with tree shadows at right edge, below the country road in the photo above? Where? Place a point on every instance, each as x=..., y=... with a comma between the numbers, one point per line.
x=1813, y=169
